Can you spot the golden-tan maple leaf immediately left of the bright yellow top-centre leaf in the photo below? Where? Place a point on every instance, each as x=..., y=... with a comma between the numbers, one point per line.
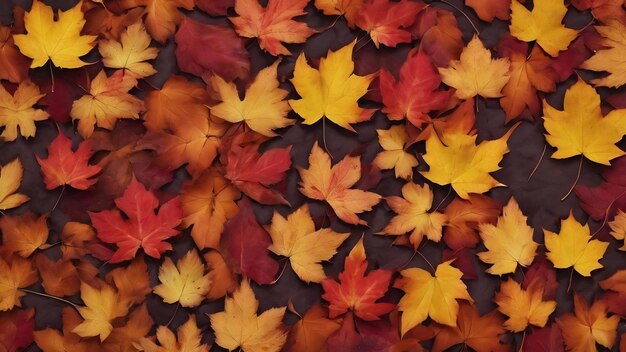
x=263, y=108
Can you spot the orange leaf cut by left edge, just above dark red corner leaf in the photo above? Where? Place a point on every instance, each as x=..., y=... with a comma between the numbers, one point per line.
x=15, y=273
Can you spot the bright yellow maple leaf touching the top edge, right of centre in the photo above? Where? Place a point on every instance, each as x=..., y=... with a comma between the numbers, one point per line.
x=542, y=24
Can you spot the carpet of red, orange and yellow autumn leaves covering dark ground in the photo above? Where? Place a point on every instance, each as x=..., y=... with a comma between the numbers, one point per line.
x=215, y=134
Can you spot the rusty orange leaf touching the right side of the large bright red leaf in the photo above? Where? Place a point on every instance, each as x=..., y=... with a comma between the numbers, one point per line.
x=207, y=204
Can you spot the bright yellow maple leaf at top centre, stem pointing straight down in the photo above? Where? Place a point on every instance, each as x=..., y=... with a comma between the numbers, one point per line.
x=332, y=91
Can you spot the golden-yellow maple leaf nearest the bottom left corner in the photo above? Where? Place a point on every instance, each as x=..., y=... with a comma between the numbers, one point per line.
x=102, y=305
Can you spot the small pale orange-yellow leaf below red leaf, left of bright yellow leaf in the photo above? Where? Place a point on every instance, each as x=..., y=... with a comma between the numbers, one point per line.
x=394, y=156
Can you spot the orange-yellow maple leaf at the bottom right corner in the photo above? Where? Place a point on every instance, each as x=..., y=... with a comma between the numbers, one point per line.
x=589, y=325
